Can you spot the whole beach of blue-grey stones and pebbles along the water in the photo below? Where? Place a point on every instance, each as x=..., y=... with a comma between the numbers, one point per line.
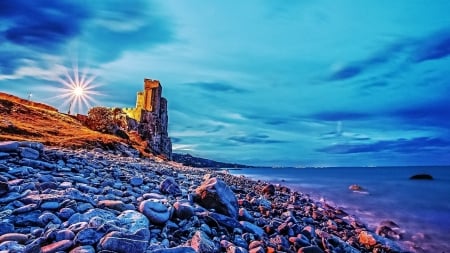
x=82, y=201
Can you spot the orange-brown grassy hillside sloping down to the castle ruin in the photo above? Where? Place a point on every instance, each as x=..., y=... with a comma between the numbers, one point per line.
x=23, y=120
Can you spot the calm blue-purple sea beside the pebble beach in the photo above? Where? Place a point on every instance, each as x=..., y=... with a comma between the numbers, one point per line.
x=420, y=207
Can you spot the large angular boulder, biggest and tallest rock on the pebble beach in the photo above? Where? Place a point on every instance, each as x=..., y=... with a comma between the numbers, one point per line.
x=215, y=194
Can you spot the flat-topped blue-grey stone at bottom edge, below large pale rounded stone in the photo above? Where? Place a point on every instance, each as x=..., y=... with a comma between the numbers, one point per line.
x=121, y=242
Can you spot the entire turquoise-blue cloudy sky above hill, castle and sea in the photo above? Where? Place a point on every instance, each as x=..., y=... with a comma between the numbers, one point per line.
x=280, y=83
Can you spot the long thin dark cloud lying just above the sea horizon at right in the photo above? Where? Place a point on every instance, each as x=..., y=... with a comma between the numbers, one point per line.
x=408, y=146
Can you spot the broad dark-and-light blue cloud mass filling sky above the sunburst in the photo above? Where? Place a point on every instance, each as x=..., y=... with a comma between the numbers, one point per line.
x=97, y=30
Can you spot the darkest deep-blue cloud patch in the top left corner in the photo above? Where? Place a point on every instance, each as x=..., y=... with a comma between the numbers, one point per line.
x=44, y=25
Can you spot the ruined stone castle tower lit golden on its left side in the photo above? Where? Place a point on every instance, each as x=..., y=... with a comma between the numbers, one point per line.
x=150, y=118
